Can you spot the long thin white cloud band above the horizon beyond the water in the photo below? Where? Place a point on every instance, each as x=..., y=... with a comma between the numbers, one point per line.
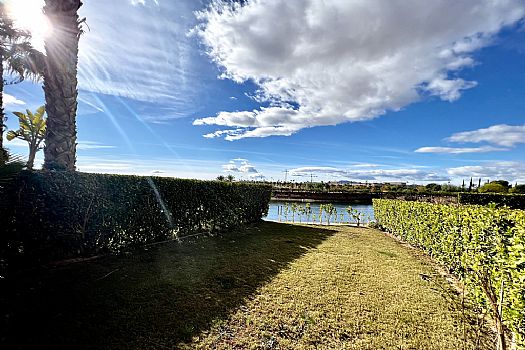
x=372, y=174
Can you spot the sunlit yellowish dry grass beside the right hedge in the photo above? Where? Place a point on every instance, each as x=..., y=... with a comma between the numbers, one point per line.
x=357, y=290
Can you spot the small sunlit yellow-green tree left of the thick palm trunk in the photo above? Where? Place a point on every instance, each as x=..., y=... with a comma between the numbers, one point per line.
x=32, y=130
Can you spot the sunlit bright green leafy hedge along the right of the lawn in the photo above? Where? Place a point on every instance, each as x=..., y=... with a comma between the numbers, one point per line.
x=484, y=246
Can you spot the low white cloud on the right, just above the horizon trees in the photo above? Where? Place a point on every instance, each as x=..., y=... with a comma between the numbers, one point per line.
x=506, y=170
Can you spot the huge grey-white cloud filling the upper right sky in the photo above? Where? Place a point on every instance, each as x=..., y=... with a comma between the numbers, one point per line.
x=333, y=61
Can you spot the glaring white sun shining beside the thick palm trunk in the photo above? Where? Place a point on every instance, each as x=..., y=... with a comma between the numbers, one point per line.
x=27, y=15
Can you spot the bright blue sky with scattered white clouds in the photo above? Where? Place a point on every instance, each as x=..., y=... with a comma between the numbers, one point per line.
x=376, y=91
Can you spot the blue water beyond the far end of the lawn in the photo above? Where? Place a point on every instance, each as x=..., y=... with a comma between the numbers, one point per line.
x=366, y=212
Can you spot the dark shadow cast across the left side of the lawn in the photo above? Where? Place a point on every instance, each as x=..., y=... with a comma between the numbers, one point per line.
x=153, y=299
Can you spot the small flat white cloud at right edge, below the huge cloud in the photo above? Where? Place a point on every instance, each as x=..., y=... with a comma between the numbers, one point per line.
x=501, y=135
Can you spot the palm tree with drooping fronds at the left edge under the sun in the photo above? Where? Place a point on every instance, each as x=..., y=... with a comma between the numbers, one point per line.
x=18, y=58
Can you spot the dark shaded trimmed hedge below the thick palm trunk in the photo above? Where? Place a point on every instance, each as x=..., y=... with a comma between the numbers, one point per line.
x=57, y=215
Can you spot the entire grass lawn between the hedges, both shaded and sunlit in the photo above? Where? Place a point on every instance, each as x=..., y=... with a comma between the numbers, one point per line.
x=272, y=286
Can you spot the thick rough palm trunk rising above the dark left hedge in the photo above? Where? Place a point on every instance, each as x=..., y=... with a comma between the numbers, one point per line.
x=60, y=83
